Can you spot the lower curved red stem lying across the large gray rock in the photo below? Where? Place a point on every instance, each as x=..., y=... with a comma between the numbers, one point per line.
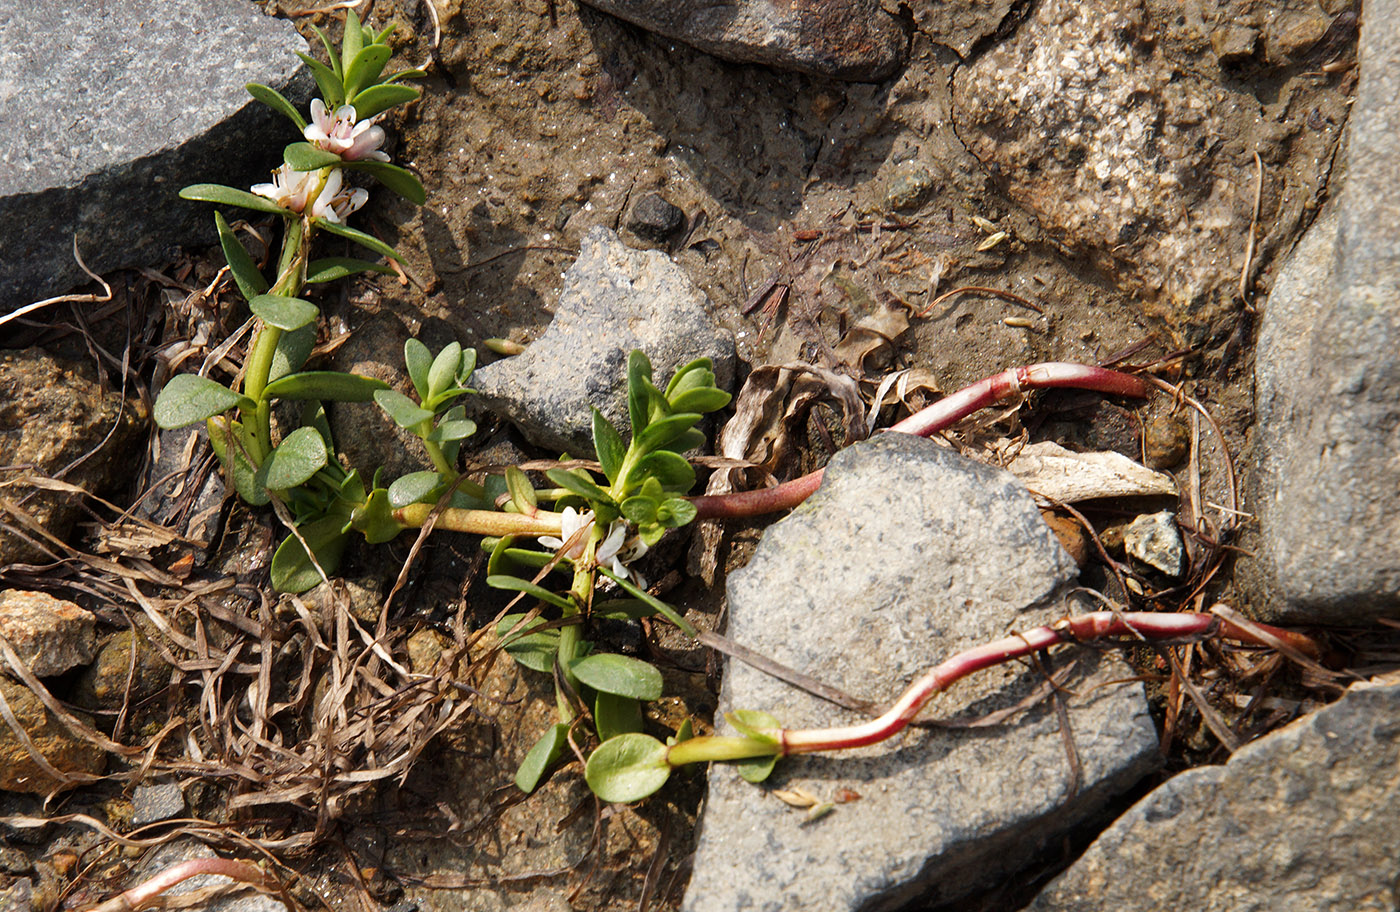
x=1090, y=627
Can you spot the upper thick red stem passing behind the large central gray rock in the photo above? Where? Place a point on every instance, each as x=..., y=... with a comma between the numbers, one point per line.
x=937, y=417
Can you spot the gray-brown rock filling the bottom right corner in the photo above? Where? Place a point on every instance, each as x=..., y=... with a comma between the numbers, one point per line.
x=1304, y=819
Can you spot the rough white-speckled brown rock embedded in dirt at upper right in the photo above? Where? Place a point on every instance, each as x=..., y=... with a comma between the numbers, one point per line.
x=1136, y=160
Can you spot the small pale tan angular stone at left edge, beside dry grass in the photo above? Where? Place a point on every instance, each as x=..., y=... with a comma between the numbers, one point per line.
x=50, y=635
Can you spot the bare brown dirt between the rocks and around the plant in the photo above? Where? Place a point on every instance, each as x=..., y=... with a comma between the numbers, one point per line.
x=810, y=207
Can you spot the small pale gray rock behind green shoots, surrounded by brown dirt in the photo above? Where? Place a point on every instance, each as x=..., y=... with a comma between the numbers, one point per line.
x=614, y=300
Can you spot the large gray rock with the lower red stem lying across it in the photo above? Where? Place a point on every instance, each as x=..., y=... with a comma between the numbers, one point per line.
x=906, y=555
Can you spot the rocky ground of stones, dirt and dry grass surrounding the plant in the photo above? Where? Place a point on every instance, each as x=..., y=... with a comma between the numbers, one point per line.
x=825, y=201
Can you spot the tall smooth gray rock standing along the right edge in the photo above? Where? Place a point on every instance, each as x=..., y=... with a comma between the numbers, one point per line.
x=1329, y=380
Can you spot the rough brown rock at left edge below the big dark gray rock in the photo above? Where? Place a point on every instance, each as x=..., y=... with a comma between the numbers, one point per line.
x=54, y=414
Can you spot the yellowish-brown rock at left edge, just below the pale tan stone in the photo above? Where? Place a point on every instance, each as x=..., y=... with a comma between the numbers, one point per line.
x=73, y=757
